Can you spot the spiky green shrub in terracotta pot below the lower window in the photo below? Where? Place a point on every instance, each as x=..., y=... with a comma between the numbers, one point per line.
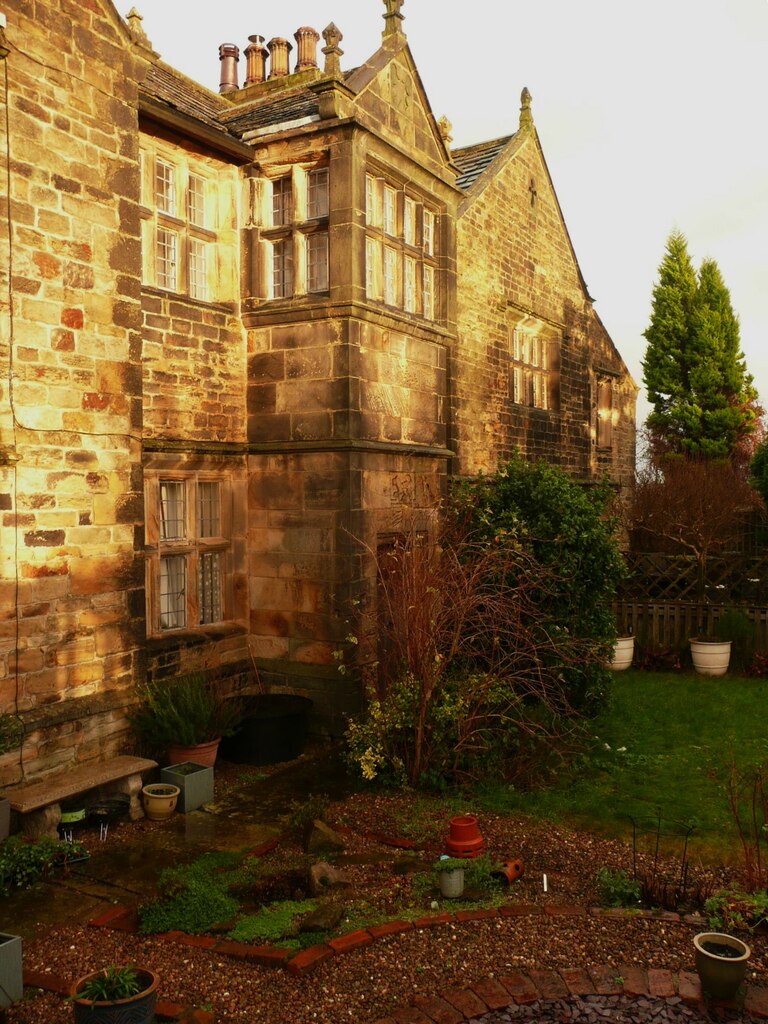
x=185, y=715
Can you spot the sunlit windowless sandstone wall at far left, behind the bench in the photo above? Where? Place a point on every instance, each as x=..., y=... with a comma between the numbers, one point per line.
x=70, y=386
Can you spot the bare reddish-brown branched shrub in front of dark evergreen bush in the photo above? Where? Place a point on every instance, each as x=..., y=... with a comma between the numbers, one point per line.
x=468, y=667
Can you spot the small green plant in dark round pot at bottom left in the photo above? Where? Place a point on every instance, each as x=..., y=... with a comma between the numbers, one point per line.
x=115, y=995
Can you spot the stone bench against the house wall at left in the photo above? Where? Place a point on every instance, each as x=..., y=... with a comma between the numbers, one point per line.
x=39, y=802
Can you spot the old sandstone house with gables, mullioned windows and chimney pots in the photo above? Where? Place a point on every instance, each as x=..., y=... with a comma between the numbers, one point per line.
x=245, y=339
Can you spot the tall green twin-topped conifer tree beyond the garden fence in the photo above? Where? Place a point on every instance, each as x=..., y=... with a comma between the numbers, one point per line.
x=704, y=401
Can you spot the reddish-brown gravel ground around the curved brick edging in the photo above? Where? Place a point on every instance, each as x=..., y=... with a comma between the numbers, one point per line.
x=368, y=984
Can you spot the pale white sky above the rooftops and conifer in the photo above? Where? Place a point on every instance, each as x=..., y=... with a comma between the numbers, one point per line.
x=652, y=116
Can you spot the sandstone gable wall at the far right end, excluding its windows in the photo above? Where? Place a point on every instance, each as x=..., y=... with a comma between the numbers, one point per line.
x=516, y=262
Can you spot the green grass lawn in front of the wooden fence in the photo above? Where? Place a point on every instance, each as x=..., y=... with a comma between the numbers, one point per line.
x=667, y=745
